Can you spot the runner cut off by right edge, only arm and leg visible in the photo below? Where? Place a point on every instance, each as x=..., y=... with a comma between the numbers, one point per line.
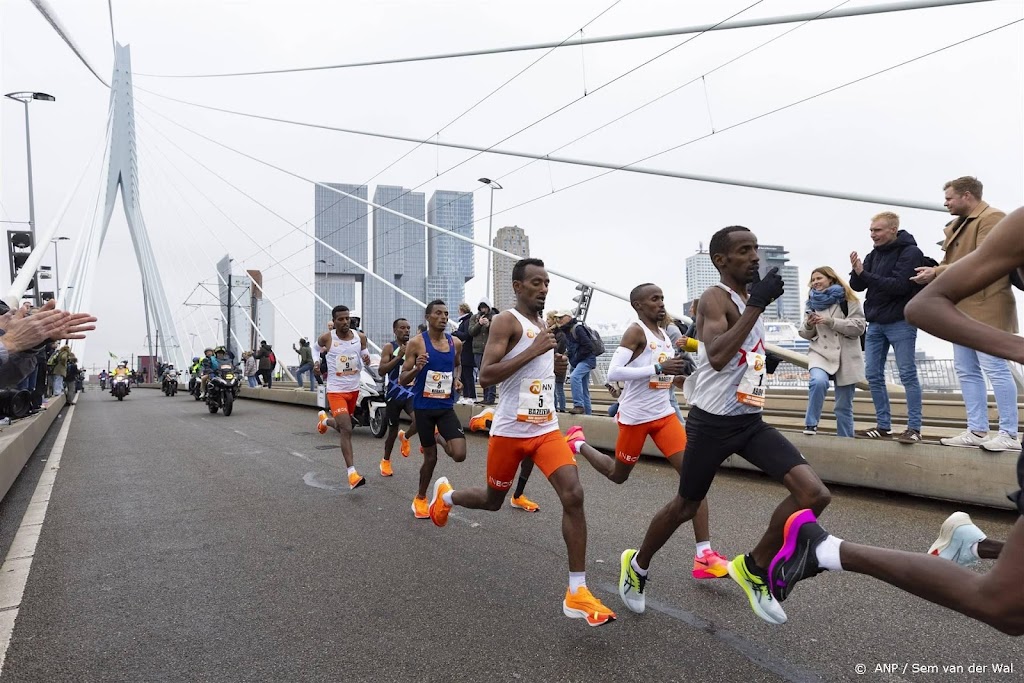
x=996, y=599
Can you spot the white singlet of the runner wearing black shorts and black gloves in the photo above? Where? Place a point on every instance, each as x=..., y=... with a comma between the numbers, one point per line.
x=740, y=388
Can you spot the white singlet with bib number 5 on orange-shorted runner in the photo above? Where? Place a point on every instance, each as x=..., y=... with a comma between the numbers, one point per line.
x=527, y=400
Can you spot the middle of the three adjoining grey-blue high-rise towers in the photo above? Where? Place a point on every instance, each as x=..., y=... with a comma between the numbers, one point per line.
x=400, y=258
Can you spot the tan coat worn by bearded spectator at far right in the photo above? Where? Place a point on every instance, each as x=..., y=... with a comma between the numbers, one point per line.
x=994, y=306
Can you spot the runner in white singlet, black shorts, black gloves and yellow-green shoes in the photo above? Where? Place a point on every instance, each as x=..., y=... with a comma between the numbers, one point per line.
x=727, y=397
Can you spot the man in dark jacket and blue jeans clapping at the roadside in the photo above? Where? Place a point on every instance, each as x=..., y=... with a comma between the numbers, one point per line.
x=886, y=274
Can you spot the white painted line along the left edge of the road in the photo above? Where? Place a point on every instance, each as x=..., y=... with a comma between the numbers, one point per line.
x=15, y=572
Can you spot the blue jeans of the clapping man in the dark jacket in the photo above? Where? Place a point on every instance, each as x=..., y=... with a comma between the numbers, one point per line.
x=904, y=338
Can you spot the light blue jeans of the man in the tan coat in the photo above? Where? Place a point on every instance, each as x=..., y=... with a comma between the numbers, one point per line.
x=969, y=365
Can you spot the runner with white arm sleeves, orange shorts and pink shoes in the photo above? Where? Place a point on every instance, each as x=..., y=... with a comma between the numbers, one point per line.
x=646, y=362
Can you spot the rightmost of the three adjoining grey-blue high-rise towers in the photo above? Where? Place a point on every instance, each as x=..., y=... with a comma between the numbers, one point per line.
x=450, y=261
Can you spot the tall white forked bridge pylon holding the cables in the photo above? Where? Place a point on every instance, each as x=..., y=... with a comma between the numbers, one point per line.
x=122, y=175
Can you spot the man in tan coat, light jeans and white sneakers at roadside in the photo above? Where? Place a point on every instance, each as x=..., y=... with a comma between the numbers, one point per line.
x=994, y=306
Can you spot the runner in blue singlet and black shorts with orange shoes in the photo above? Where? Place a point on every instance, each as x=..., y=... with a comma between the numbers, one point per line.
x=434, y=366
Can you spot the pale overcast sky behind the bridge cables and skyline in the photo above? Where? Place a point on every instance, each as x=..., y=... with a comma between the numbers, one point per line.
x=898, y=136
